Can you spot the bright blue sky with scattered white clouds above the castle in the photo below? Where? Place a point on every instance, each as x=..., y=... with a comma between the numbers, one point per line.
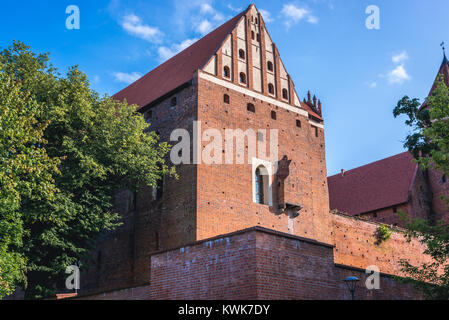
x=359, y=74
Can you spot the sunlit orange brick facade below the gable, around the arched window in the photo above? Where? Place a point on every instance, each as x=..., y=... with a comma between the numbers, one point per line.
x=225, y=201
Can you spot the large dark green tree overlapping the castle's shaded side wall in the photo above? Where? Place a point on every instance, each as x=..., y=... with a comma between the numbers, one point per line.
x=102, y=147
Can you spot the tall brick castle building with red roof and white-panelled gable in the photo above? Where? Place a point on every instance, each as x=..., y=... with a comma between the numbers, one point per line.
x=233, y=78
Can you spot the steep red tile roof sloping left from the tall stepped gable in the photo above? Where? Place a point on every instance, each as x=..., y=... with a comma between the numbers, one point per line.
x=178, y=70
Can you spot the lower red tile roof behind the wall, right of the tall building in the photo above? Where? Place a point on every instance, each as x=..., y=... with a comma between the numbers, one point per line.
x=375, y=186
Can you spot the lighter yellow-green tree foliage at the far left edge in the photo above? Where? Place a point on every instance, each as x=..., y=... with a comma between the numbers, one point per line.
x=25, y=174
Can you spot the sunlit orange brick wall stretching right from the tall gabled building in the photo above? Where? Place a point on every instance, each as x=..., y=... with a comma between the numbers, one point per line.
x=355, y=245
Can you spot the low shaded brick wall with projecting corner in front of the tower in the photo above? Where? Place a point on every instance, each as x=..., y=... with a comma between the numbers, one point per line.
x=254, y=264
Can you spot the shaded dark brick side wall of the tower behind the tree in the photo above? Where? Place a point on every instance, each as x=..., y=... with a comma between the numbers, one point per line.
x=123, y=256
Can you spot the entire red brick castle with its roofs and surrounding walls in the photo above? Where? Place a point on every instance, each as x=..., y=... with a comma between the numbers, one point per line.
x=257, y=229
